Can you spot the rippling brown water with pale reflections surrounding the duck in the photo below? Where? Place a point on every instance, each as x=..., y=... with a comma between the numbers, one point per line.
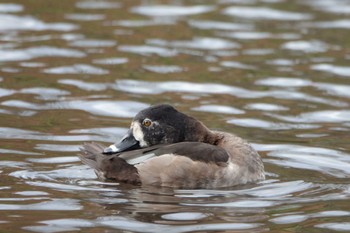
x=275, y=72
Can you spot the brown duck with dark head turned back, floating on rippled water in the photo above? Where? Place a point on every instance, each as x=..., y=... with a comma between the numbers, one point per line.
x=165, y=147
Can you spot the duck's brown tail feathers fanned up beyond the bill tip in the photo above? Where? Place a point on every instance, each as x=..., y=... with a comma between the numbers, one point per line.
x=89, y=153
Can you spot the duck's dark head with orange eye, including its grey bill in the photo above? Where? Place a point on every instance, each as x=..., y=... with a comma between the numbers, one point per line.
x=159, y=124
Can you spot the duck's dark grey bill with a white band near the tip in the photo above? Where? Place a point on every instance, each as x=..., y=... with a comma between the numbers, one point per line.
x=127, y=143
